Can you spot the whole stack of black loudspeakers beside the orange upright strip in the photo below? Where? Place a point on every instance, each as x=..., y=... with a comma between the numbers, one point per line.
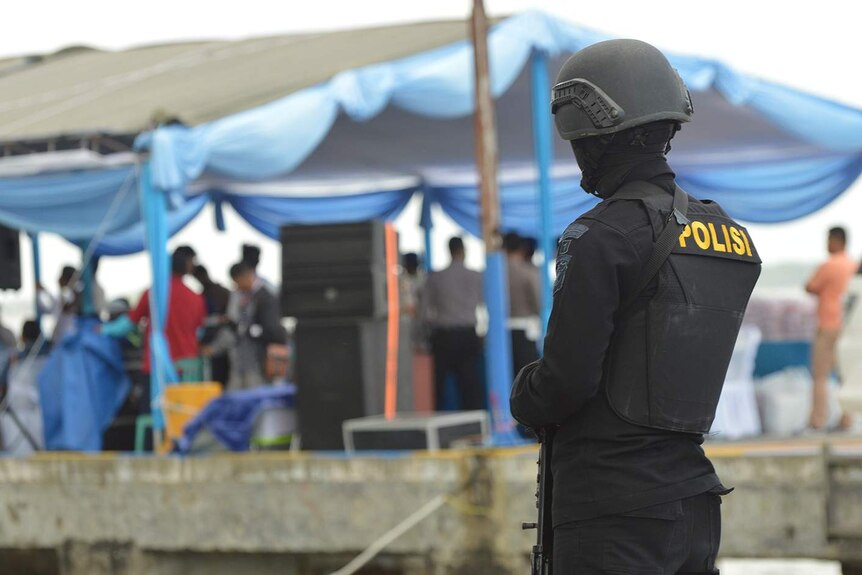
x=334, y=283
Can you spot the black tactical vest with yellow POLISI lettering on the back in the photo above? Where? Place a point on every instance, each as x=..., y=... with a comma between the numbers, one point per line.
x=670, y=351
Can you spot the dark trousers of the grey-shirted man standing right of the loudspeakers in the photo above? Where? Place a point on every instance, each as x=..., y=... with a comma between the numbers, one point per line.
x=456, y=352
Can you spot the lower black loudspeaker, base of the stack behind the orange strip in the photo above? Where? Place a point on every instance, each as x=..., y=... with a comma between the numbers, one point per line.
x=341, y=374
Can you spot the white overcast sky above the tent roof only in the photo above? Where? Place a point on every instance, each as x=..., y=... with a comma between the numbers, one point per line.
x=813, y=46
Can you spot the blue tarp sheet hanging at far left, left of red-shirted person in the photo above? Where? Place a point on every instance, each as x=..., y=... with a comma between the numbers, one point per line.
x=81, y=387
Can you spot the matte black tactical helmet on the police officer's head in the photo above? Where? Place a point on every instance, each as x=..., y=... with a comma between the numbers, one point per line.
x=615, y=85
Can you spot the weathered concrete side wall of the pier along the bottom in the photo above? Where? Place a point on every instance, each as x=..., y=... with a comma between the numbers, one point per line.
x=310, y=514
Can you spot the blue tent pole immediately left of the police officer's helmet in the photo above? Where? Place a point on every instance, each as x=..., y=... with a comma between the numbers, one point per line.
x=542, y=146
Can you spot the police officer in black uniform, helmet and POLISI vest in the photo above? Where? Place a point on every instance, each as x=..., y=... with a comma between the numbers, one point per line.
x=650, y=292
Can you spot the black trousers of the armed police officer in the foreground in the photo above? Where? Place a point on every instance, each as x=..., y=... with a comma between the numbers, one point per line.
x=677, y=538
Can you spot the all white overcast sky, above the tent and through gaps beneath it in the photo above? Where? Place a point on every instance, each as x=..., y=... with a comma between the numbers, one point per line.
x=811, y=46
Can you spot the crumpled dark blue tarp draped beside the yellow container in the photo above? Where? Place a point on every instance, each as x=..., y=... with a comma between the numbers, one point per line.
x=230, y=417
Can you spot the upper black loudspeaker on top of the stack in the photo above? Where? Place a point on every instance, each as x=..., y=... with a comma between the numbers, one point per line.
x=334, y=271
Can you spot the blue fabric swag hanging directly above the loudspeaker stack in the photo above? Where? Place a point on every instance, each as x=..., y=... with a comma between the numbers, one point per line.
x=266, y=214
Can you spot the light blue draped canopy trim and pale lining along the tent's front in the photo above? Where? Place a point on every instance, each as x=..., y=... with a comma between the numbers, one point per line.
x=768, y=153
